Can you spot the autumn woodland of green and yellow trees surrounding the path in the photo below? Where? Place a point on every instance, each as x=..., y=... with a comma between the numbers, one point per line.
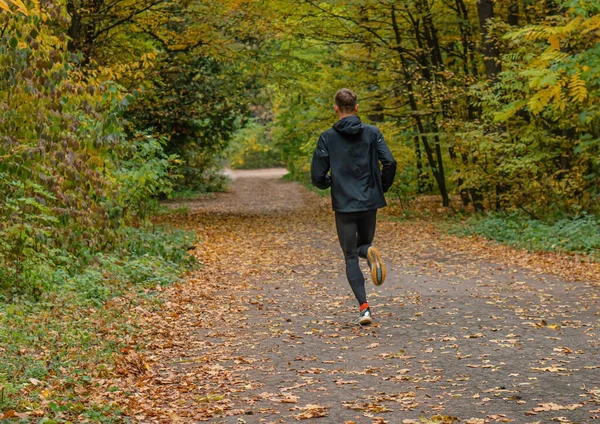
x=109, y=106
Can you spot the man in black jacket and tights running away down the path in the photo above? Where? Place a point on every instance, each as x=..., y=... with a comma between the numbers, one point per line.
x=352, y=151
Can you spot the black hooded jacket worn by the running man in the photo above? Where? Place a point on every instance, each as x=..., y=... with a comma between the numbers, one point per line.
x=353, y=151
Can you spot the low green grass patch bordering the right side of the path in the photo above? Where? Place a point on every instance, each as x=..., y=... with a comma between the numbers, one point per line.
x=579, y=235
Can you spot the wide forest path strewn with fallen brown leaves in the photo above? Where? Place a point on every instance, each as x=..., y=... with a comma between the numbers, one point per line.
x=263, y=332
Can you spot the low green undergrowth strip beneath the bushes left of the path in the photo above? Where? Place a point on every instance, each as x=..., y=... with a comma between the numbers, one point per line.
x=147, y=254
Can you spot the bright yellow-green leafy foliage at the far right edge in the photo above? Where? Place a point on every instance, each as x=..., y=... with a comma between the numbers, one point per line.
x=539, y=139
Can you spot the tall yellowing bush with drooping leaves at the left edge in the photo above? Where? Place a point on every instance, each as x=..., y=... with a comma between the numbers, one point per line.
x=58, y=133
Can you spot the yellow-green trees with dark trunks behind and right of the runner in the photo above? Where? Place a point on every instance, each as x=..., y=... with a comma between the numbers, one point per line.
x=524, y=136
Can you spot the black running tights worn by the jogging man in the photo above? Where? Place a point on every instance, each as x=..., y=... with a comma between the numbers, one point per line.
x=355, y=232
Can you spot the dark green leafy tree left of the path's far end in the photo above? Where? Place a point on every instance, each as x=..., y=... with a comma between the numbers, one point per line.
x=192, y=109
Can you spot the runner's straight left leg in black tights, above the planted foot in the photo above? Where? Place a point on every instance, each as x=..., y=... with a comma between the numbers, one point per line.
x=347, y=230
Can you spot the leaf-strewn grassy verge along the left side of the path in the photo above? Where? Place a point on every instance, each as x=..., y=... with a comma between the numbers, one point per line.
x=55, y=348
